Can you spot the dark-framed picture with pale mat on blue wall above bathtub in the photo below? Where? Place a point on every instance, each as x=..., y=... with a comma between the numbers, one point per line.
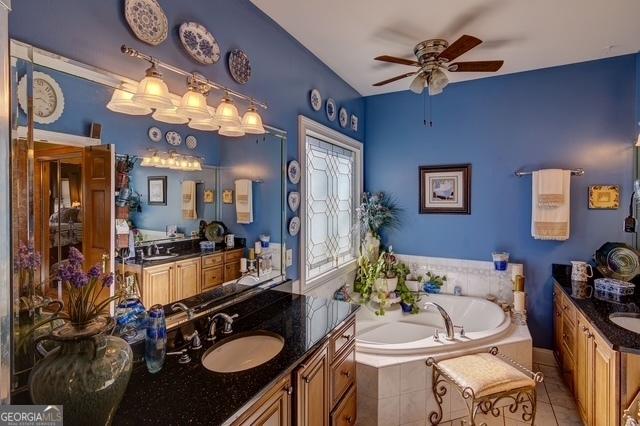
x=445, y=189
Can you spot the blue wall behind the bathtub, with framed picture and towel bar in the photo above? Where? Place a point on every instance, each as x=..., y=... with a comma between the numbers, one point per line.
x=580, y=115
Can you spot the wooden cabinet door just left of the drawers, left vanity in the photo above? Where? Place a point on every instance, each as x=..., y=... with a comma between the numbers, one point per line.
x=312, y=392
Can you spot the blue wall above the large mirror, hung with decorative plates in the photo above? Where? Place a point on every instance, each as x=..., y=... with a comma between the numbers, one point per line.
x=284, y=71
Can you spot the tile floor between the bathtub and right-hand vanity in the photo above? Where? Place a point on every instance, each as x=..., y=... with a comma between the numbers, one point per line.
x=556, y=406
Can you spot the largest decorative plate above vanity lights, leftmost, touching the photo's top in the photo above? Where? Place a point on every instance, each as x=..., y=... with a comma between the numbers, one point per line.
x=147, y=20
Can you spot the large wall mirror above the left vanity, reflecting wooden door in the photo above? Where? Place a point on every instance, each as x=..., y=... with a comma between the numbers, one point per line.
x=81, y=172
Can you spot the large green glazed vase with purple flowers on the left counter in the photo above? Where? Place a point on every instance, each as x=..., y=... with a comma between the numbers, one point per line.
x=86, y=349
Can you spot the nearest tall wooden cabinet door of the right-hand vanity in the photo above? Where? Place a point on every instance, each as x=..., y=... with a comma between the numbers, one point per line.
x=605, y=383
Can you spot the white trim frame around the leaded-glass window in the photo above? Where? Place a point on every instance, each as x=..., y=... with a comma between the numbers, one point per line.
x=306, y=126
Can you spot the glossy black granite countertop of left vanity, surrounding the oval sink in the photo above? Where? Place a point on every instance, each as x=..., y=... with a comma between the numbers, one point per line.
x=188, y=393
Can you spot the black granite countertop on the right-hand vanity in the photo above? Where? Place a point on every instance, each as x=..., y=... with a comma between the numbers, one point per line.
x=597, y=311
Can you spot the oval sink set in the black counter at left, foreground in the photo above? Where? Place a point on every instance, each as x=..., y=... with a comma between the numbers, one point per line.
x=242, y=352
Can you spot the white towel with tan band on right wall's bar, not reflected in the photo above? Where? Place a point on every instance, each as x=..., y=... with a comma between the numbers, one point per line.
x=551, y=222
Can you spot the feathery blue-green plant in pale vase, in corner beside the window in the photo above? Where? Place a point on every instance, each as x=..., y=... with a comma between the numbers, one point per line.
x=376, y=211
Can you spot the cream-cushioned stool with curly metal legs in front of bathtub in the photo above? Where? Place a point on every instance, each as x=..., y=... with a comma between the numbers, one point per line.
x=485, y=380
